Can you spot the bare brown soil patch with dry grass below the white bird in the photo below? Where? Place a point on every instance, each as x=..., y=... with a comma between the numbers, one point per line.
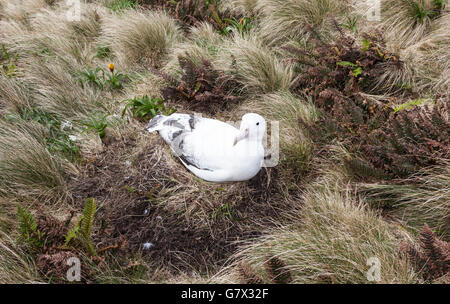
x=144, y=207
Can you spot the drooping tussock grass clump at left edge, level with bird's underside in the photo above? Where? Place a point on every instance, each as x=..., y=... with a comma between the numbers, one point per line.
x=27, y=168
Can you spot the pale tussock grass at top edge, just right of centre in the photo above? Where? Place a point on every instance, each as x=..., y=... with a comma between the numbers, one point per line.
x=285, y=19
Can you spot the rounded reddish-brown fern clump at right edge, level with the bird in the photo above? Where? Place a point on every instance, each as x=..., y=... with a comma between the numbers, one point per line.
x=410, y=140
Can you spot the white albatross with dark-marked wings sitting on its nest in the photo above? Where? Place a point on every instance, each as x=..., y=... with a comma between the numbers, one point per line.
x=211, y=149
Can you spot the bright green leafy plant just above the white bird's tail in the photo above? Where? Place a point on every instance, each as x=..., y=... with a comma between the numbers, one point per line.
x=146, y=107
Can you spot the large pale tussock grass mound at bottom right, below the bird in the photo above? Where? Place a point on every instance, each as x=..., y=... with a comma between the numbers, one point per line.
x=336, y=237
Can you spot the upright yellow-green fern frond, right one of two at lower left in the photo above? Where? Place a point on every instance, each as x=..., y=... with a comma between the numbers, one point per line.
x=82, y=231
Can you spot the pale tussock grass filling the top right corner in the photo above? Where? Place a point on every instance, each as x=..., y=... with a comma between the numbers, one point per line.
x=421, y=45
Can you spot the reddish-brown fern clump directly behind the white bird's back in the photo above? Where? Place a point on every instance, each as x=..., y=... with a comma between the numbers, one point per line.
x=201, y=87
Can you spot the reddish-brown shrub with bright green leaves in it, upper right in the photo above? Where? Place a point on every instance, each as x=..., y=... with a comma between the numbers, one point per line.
x=342, y=69
